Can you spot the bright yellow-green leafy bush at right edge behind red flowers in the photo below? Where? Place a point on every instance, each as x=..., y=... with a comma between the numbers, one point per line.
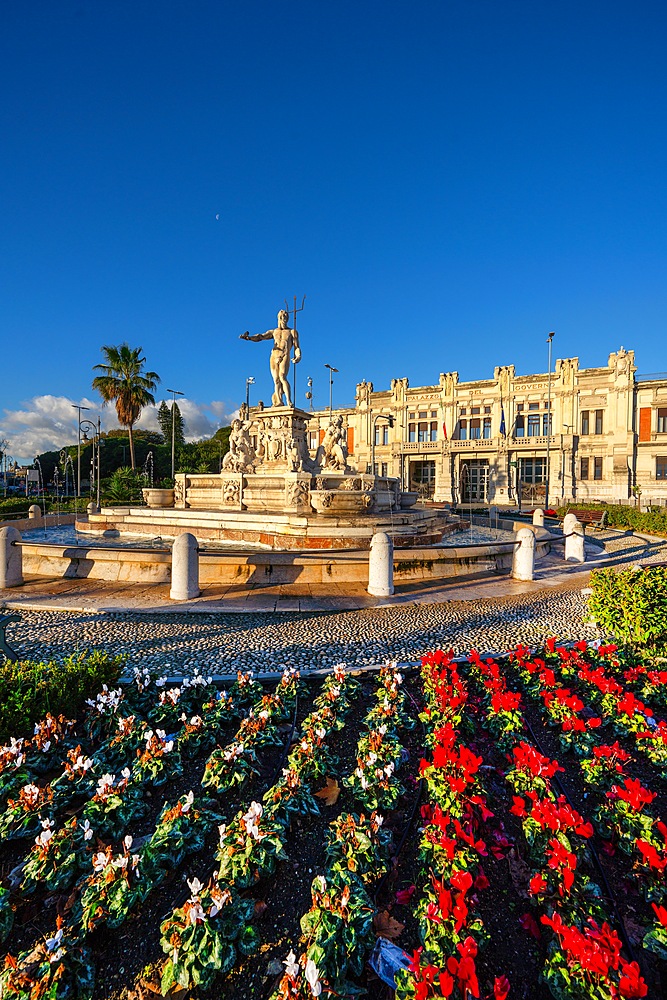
x=631, y=605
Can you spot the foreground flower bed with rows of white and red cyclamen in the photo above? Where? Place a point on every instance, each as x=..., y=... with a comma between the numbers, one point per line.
x=260, y=841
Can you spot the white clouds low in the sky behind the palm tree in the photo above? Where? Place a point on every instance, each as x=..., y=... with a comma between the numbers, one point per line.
x=47, y=423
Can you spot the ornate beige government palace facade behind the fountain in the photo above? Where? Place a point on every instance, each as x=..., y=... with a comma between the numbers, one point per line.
x=581, y=434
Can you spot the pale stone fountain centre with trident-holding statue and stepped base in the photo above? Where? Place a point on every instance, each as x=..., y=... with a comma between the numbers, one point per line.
x=274, y=491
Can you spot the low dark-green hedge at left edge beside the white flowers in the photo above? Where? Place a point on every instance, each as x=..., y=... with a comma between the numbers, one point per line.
x=29, y=689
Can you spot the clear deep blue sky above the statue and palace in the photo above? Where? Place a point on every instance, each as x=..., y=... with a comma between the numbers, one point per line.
x=445, y=181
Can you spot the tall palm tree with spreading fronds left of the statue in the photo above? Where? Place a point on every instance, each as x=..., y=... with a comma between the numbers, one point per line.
x=126, y=384
